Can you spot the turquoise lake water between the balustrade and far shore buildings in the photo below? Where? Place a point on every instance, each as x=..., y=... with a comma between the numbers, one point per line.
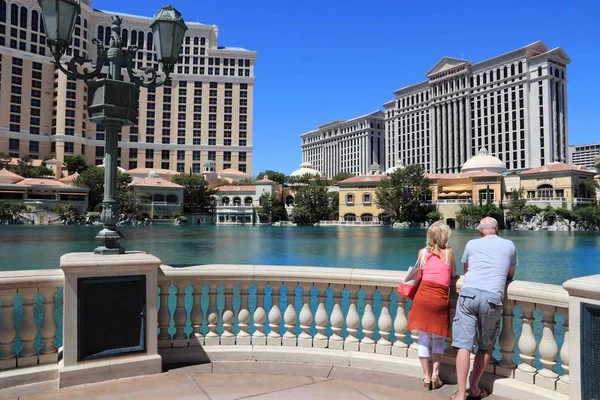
x=549, y=257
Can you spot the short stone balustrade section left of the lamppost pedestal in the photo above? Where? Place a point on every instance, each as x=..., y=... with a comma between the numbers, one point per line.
x=31, y=309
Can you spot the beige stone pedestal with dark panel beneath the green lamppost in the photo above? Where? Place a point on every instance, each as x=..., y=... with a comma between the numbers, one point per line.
x=73, y=370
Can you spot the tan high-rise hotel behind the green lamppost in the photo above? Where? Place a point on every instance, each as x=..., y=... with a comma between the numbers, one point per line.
x=204, y=113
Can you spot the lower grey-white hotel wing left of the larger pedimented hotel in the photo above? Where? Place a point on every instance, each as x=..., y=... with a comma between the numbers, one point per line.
x=346, y=145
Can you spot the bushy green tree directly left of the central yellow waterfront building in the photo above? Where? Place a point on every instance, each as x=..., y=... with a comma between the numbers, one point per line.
x=311, y=203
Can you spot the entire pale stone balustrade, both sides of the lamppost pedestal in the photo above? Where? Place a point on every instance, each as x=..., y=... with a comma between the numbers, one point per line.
x=230, y=308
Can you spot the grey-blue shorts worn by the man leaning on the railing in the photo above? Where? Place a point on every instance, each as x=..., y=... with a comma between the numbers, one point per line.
x=477, y=320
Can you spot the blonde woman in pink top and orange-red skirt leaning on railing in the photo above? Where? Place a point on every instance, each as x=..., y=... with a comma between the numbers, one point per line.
x=429, y=313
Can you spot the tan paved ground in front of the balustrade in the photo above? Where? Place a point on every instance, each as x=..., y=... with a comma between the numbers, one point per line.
x=215, y=386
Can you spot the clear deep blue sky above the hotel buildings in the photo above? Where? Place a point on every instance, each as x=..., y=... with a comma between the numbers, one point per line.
x=324, y=60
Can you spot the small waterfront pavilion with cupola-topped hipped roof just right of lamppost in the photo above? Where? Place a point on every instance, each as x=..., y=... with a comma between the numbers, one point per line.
x=163, y=197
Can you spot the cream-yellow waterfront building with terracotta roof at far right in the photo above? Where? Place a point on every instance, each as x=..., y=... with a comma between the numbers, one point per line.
x=558, y=185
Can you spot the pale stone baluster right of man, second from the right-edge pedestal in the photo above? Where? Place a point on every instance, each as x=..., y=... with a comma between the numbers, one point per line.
x=548, y=349
